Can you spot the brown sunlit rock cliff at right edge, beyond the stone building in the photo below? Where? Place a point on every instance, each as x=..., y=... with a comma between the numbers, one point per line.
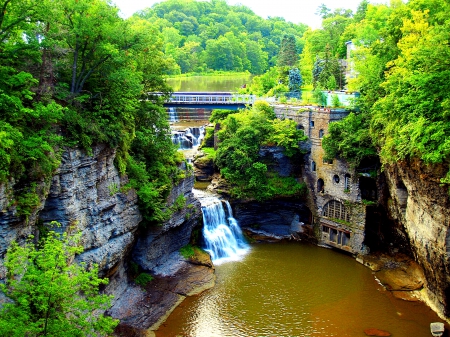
x=419, y=205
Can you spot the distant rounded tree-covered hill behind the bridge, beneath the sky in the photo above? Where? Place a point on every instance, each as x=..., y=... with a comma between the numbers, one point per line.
x=203, y=36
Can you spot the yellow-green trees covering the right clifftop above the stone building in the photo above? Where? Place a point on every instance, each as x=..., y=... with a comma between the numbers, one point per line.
x=402, y=64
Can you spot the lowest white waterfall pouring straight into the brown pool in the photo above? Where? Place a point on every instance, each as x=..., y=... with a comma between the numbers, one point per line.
x=223, y=236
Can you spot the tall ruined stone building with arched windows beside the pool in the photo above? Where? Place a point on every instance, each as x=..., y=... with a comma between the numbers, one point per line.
x=335, y=196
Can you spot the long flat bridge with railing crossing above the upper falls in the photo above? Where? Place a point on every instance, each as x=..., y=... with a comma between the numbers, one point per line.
x=209, y=99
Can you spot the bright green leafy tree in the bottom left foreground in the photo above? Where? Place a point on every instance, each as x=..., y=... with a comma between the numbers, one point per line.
x=51, y=294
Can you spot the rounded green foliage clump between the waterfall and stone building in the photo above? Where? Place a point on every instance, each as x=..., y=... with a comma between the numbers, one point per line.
x=237, y=156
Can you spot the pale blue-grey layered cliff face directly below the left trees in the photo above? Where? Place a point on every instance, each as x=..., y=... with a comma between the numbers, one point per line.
x=84, y=195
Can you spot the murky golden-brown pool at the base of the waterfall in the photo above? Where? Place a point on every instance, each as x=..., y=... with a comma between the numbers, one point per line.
x=296, y=290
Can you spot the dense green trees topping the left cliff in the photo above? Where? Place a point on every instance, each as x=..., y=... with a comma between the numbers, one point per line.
x=73, y=73
